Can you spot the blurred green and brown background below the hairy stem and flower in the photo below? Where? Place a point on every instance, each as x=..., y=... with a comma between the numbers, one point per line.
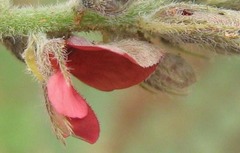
x=132, y=120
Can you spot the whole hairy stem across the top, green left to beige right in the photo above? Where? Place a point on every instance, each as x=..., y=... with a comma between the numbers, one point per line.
x=178, y=23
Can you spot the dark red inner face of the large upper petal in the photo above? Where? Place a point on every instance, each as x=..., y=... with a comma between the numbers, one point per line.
x=104, y=68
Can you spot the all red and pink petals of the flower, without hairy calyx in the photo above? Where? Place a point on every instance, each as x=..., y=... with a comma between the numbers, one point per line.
x=105, y=67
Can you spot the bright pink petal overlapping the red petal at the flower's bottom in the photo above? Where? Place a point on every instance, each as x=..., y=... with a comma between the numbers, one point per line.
x=64, y=98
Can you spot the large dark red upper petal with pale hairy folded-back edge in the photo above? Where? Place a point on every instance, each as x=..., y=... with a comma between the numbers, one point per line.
x=114, y=66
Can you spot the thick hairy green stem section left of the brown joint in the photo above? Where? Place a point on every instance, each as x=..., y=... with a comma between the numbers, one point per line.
x=22, y=21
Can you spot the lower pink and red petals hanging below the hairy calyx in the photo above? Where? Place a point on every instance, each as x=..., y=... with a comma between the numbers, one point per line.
x=67, y=102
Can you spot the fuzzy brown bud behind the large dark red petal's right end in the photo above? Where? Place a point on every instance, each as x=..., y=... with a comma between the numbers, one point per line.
x=173, y=74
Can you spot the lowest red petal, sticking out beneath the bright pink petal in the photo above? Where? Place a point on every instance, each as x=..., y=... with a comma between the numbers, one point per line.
x=86, y=128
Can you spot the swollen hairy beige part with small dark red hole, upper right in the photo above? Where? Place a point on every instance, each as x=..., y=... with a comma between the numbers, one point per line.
x=198, y=24
